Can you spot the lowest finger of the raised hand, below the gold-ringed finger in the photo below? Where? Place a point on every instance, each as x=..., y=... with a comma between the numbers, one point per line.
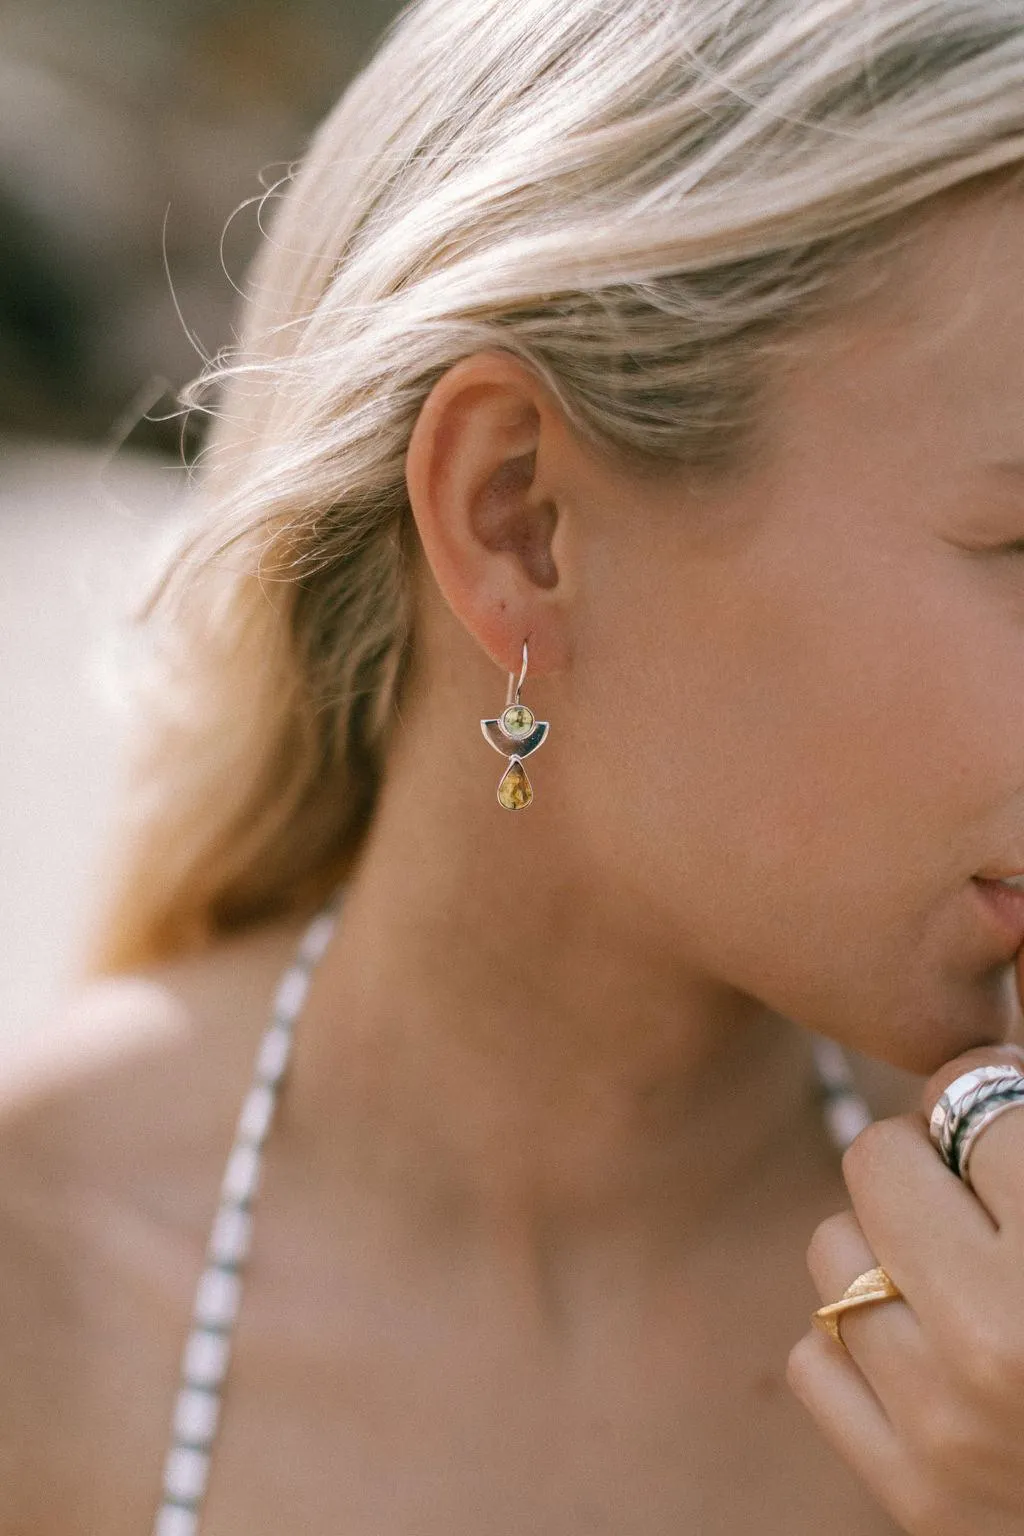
x=850, y=1417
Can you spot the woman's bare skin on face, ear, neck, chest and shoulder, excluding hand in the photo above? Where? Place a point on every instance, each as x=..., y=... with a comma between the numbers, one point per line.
x=530, y=1245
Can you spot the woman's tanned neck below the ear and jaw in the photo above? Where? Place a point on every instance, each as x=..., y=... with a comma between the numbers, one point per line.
x=501, y=1048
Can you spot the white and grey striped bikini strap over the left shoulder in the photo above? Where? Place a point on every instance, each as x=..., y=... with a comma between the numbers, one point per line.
x=219, y=1291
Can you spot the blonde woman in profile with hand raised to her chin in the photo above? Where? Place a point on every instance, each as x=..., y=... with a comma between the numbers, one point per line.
x=652, y=371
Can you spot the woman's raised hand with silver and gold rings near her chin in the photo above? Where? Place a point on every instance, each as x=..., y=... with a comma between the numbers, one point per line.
x=927, y=1403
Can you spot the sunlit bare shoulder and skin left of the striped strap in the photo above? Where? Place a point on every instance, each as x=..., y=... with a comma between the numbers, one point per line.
x=116, y=1121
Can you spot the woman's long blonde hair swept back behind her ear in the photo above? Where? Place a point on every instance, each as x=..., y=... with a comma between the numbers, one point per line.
x=636, y=197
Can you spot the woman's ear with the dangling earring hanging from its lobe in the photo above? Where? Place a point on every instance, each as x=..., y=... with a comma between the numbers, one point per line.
x=486, y=466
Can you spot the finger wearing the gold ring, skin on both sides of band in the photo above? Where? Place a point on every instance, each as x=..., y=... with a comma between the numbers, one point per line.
x=885, y=1340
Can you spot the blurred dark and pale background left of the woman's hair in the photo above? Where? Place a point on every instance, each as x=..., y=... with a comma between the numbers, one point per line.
x=136, y=142
